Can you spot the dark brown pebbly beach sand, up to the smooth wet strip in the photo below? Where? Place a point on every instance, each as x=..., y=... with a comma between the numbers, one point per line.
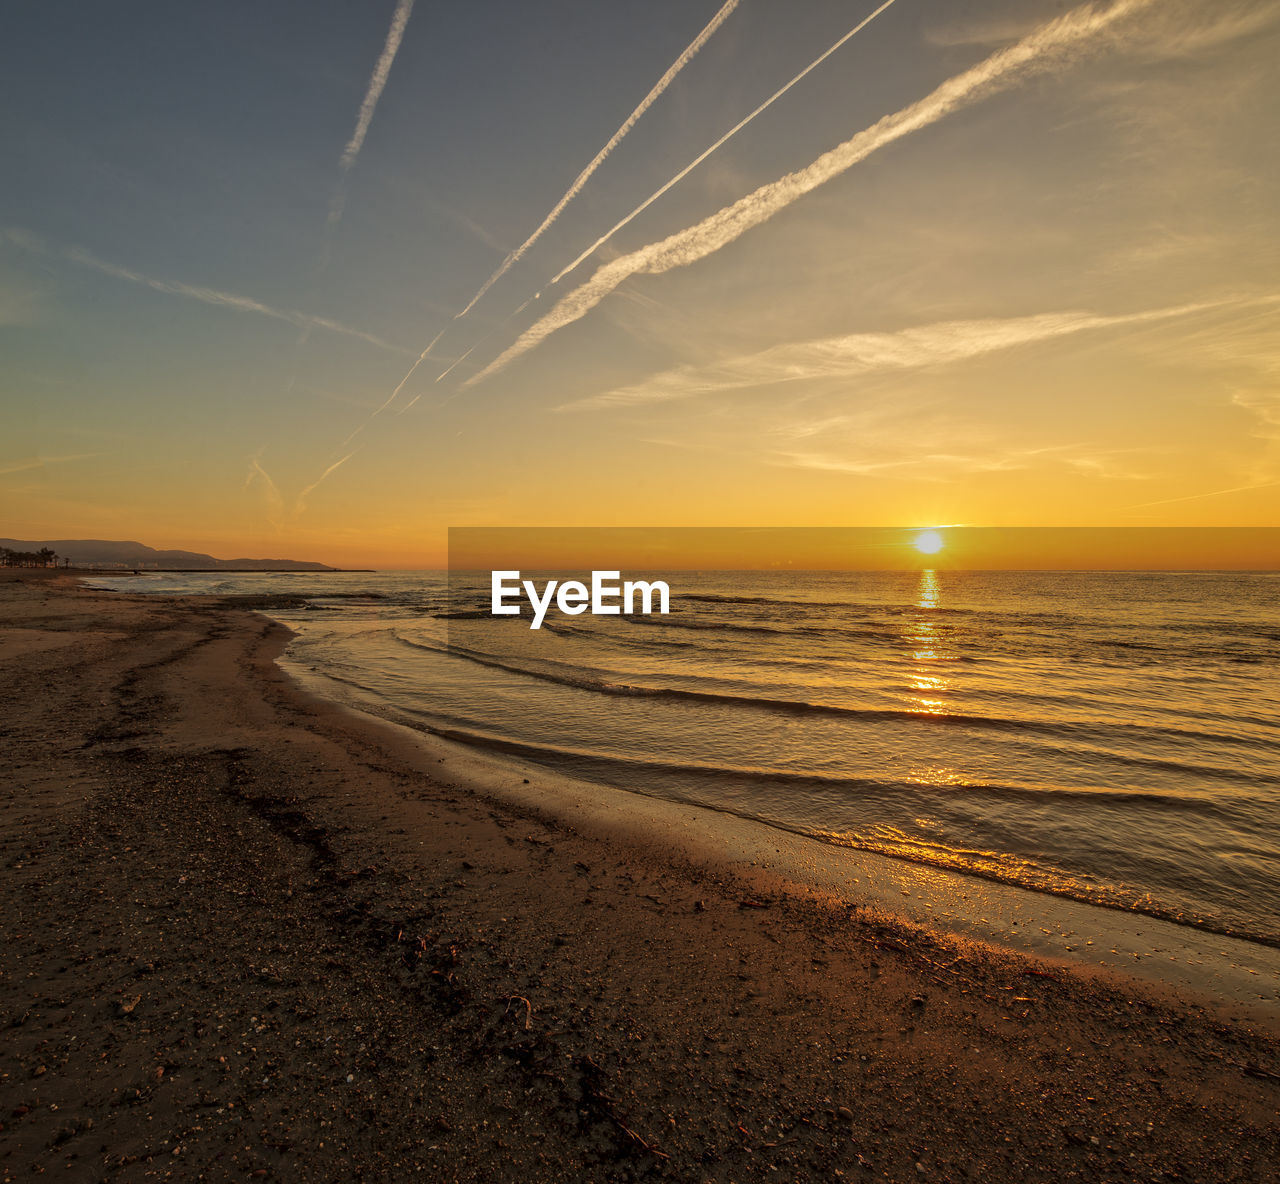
x=249, y=935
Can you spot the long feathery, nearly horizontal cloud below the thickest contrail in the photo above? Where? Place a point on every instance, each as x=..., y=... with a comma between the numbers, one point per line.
x=941, y=344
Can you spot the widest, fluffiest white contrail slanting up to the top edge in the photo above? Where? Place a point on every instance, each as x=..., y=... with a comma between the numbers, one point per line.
x=1055, y=43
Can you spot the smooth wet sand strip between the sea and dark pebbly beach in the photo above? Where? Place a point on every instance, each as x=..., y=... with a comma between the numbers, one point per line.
x=1013, y=918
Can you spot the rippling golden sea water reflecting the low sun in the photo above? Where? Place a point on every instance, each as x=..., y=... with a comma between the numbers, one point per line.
x=1107, y=737
